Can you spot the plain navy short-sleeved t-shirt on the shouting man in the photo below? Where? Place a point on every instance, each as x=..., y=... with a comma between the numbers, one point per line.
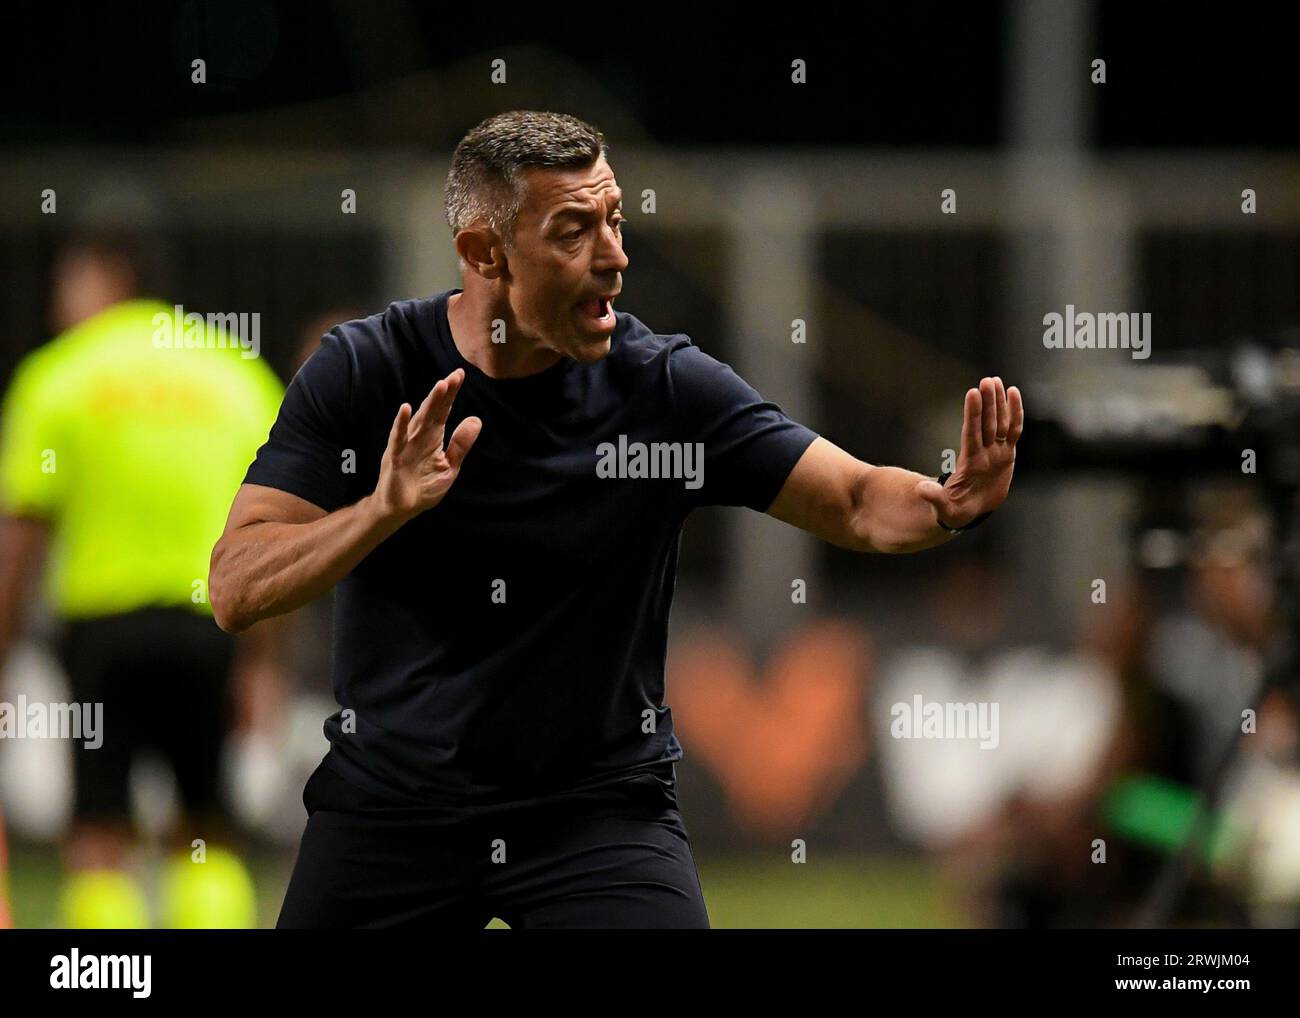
x=510, y=643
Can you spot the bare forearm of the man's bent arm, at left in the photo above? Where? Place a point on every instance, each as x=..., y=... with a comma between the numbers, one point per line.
x=271, y=569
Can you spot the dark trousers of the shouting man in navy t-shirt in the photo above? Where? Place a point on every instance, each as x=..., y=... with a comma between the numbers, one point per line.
x=613, y=859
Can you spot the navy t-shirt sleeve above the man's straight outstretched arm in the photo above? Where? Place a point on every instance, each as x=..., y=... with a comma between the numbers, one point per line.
x=749, y=444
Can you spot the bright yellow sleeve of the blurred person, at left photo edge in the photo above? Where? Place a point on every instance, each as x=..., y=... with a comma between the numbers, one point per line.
x=32, y=437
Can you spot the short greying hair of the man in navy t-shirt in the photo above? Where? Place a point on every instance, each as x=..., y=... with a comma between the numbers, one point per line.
x=486, y=180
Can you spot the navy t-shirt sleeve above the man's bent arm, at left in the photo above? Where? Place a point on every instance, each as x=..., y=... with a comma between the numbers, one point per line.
x=305, y=453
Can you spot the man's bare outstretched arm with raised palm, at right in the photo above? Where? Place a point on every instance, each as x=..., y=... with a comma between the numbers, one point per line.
x=890, y=510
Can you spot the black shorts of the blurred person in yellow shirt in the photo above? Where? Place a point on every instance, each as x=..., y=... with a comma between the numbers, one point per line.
x=164, y=679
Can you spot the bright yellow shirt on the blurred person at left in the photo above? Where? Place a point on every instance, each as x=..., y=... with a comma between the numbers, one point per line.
x=132, y=444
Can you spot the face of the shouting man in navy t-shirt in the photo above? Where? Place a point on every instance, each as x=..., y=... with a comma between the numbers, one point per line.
x=567, y=259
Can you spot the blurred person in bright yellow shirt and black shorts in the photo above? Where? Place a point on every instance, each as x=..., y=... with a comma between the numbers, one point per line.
x=120, y=452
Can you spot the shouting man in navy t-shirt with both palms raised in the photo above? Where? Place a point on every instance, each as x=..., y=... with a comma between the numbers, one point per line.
x=495, y=482
